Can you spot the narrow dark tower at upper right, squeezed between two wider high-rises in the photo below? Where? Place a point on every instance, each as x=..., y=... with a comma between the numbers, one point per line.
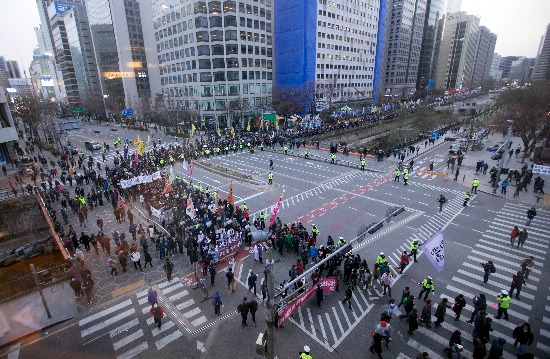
x=435, y=12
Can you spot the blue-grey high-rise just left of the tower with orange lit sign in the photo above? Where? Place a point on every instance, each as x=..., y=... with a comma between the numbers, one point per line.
x=74, y=52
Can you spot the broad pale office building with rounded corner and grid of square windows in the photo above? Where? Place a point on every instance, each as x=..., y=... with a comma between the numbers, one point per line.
x=216, y=58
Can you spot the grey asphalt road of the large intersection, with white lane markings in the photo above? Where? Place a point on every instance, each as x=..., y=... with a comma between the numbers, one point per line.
x=338, y=200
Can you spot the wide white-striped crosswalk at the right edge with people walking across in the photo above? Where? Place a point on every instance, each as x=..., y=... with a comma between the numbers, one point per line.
x=494, y=244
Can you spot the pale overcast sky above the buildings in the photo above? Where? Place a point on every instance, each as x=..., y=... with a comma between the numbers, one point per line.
x=519, y=25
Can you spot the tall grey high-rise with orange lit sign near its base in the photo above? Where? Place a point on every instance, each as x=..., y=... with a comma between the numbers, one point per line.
x=122, y=33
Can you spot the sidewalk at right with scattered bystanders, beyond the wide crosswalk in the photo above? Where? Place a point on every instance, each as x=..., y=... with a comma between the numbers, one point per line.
x=467, y=171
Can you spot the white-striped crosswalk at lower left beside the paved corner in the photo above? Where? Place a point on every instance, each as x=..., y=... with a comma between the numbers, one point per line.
x=131, y=327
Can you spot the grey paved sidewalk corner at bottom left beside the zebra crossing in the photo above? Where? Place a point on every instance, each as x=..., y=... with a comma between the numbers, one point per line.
x=26, y=315
